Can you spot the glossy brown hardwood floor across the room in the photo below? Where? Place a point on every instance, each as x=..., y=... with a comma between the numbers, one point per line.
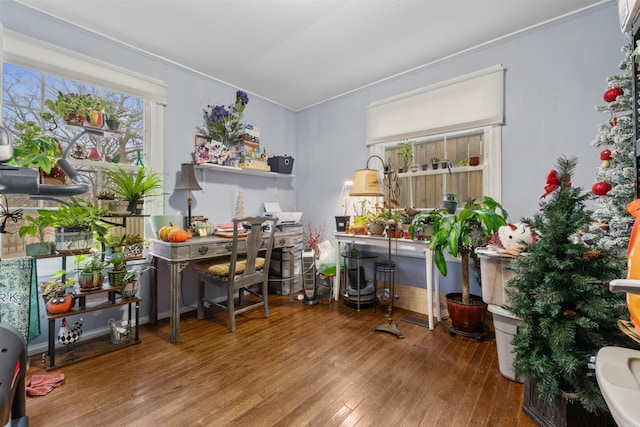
x=317, y=365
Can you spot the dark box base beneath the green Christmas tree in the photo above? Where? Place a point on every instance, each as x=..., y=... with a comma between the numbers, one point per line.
x=562, y=411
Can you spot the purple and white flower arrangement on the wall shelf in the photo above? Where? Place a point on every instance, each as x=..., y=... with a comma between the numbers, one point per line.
x=222, y=123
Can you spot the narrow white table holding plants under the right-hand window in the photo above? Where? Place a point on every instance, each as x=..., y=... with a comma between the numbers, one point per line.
x=400, y=247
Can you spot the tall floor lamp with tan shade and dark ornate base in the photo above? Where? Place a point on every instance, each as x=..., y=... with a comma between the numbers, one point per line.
x=366, y=182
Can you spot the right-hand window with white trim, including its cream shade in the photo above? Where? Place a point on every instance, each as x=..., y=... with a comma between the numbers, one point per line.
x=454, y=120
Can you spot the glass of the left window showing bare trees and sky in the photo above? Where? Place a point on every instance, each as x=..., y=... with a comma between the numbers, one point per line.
x=24, y=92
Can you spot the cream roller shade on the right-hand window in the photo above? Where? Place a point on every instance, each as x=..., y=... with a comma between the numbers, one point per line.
x=472, y=100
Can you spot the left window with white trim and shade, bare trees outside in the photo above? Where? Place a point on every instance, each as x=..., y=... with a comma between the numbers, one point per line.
x=33, y=71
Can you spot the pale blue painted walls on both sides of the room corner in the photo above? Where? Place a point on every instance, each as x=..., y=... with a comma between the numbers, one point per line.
x=555, y=77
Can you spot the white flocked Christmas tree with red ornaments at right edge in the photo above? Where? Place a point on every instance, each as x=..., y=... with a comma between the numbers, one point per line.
x=615, y=177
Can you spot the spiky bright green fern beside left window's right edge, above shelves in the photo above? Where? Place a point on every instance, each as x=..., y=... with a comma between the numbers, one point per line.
x=134, y=186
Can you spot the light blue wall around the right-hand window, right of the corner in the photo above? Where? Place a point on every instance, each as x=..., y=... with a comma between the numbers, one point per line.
x=555, y=77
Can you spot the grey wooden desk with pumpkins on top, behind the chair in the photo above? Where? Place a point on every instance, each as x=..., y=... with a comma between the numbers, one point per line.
x=179, y=255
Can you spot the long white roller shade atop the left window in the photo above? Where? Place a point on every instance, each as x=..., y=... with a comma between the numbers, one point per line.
x=38, y=55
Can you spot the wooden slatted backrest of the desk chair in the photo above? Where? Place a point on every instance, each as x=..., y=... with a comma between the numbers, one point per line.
x=255, y=243
